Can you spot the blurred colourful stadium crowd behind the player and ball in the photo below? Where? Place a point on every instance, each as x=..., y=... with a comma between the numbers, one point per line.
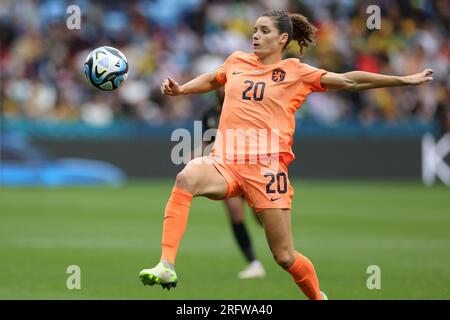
x=41, y=61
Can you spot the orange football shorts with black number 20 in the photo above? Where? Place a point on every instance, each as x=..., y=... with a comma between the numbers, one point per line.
x=264, y=185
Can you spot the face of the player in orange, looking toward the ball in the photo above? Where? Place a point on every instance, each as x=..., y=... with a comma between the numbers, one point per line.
x=266, y=38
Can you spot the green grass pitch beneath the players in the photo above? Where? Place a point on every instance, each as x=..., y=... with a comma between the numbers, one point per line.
x=112, y=233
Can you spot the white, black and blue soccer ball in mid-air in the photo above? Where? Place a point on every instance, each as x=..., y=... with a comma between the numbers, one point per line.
x=106, y=68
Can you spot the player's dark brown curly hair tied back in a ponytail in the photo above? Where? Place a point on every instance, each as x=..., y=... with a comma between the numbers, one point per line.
x=295, y=25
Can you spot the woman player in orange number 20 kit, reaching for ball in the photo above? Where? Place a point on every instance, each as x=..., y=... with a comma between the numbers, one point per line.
x=262, y=92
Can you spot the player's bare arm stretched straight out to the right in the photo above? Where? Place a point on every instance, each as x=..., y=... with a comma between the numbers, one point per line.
x=361, y=80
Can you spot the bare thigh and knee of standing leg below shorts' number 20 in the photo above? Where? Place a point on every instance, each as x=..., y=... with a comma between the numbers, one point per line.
x=277, y=227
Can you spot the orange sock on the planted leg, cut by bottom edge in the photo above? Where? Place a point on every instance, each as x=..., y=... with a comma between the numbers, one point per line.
x=305, y=277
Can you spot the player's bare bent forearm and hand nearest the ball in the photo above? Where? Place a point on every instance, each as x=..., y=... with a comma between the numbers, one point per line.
x=203, y=83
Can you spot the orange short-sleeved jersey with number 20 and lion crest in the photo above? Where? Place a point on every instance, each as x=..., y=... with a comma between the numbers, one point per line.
x=260, y=100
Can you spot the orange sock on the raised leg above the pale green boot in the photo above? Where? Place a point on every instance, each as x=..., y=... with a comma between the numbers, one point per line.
x=175, y=221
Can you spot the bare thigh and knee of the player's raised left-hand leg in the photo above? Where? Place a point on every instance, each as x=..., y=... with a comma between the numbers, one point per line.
x=201, y=178
